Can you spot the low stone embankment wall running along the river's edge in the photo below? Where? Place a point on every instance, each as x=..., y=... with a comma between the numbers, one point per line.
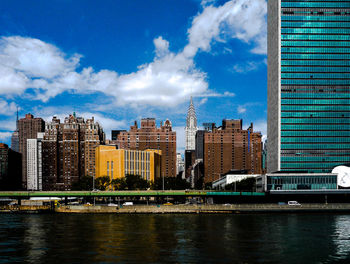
x=181, y=209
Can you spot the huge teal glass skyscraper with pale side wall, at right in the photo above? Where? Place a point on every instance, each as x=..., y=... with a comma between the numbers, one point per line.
x=308, y=85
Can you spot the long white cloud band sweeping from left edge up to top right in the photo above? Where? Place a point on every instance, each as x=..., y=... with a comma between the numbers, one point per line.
x=167, y=81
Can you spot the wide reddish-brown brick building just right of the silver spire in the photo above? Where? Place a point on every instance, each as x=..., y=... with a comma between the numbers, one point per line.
x=229, y=147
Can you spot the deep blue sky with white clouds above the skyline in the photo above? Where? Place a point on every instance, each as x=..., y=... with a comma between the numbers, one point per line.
x=121, y=61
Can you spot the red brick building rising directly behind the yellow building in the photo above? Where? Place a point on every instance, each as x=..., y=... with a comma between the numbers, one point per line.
x=148, y=136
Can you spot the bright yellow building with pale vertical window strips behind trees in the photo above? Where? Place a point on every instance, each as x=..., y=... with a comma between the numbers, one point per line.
x=116, y=163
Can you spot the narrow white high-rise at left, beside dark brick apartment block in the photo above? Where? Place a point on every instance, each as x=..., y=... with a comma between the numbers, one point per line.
x=34, y=163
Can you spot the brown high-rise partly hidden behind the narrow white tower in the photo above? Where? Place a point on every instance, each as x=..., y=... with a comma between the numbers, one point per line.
x=28, y=127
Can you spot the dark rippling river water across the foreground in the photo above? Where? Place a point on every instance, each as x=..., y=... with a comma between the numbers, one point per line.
x=246, y=238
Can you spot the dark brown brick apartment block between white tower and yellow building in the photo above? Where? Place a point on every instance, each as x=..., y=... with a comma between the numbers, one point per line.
x=69, y=151
